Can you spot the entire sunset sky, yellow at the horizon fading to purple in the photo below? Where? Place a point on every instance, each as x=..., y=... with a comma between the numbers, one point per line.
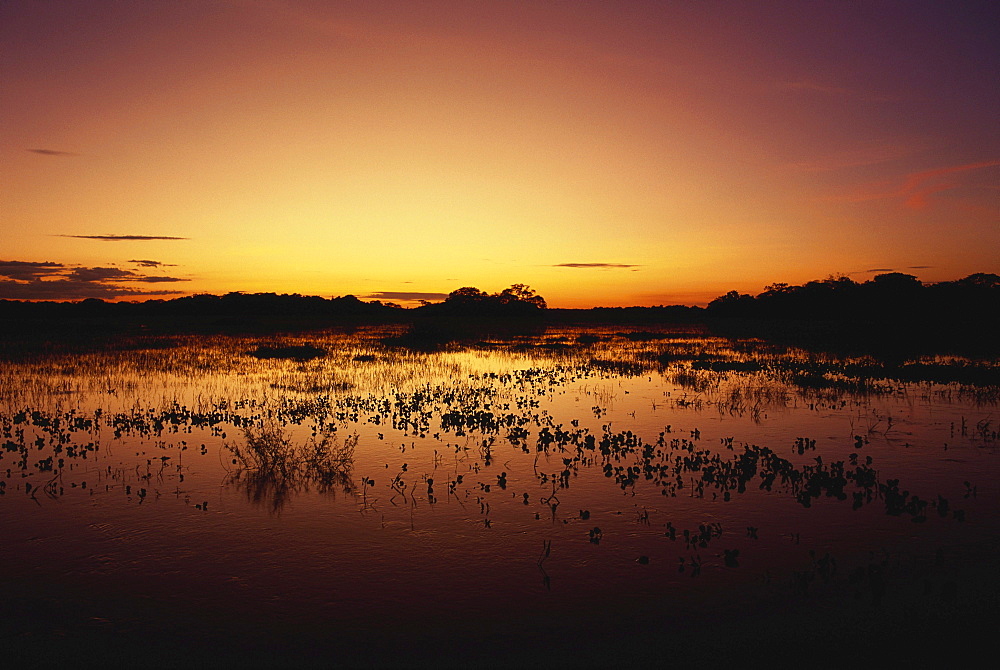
x=604, y=153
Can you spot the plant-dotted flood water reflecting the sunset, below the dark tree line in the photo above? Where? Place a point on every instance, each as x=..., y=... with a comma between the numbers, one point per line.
x=573, y=495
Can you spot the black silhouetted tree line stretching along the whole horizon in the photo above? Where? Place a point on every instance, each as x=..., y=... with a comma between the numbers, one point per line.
x=887, y=297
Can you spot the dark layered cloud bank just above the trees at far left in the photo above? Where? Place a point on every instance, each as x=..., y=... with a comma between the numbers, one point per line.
x=46, y=280
